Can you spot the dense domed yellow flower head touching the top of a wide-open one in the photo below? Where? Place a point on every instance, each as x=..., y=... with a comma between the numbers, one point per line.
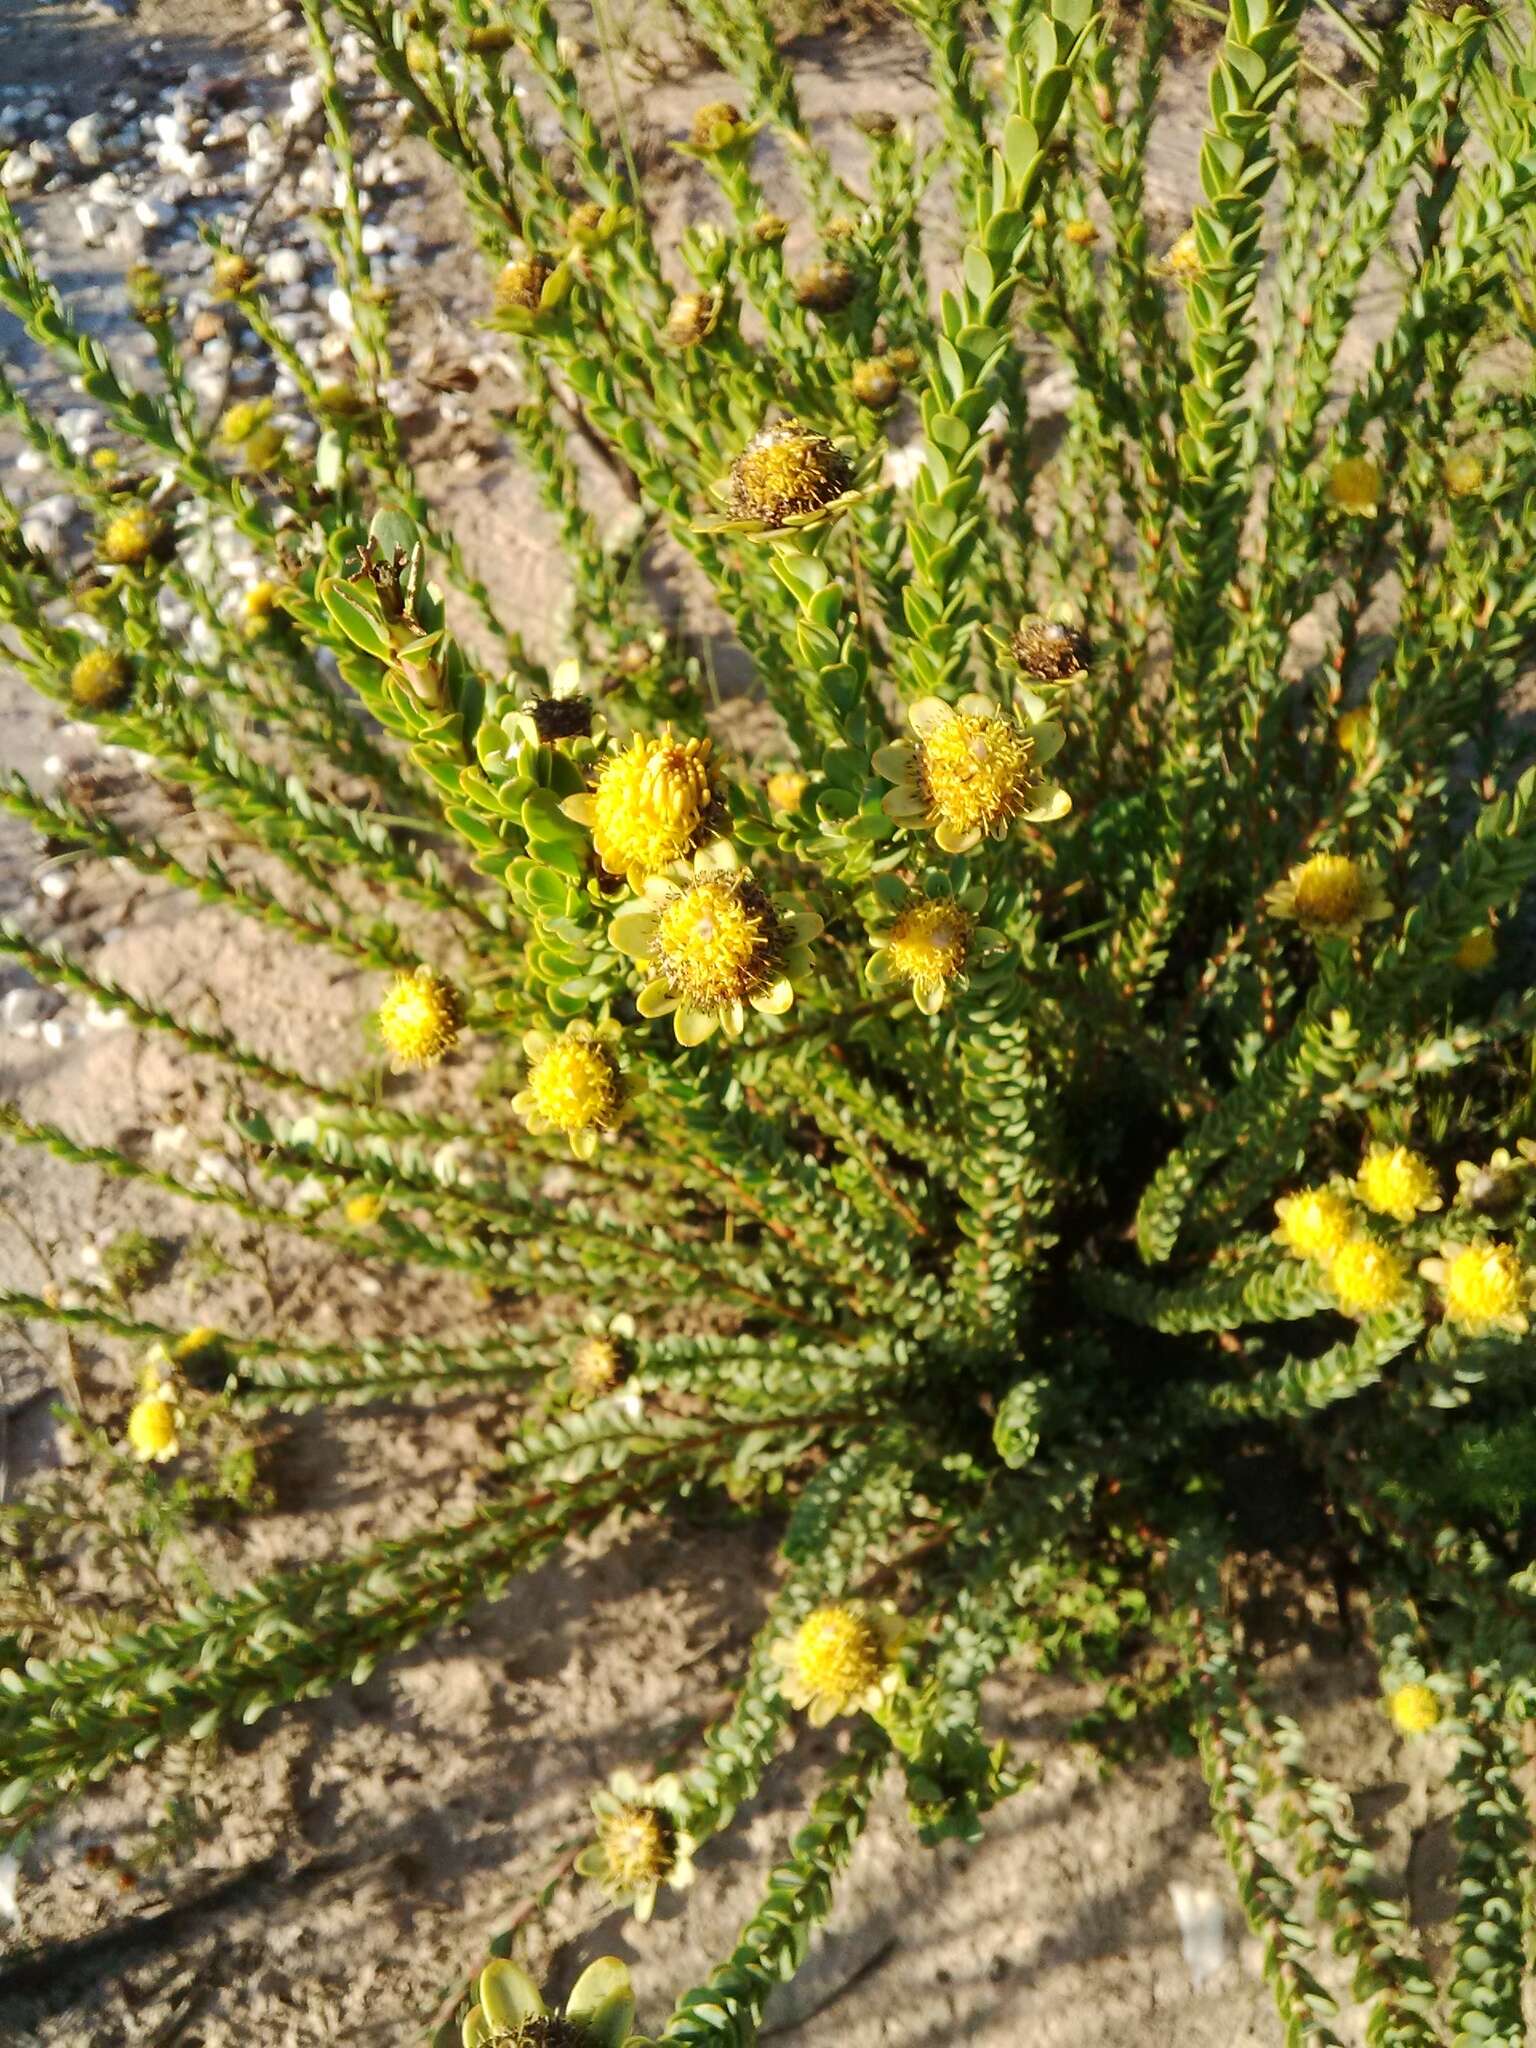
x=652, y=804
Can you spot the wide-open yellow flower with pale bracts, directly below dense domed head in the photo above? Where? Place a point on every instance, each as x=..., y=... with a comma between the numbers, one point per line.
x=716, y=947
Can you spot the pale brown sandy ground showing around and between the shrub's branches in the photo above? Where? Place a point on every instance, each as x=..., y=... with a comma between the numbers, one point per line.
x=359, y=1850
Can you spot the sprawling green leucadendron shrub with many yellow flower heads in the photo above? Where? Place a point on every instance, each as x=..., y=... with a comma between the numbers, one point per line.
x=1054, y=1125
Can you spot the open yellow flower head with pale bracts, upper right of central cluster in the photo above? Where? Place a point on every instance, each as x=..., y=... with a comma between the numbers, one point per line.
x=972, y=773
